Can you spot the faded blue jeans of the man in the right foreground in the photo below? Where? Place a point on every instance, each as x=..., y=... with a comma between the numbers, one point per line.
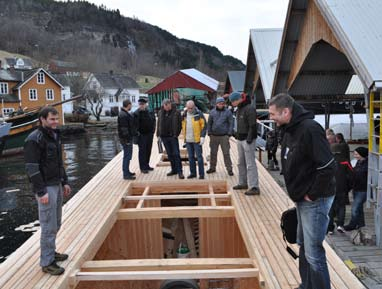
x=313, y=222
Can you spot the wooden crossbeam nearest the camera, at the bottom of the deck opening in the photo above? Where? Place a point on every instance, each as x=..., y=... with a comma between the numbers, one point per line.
x=164, y=275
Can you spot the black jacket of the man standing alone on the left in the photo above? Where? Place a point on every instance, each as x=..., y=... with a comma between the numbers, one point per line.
x=43, y=159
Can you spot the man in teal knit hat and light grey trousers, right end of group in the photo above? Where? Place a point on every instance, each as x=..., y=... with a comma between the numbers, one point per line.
x=246, y=134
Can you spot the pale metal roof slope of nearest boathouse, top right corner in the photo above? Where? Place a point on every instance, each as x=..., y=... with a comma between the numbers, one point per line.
x=357, y=26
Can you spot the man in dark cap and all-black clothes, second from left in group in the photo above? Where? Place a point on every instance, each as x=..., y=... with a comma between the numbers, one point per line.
x=145, y=124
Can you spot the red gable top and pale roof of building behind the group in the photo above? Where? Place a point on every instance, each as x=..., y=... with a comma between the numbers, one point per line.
x=186, y=78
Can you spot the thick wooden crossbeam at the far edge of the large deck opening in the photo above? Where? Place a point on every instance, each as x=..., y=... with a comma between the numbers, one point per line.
x=177, y=212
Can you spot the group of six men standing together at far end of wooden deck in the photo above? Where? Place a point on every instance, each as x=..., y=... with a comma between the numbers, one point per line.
x=171, y=122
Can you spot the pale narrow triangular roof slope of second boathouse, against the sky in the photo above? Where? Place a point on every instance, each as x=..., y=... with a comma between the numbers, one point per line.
x=266, y=46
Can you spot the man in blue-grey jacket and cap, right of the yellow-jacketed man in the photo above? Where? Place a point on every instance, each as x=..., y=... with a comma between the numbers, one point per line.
x=220, y=128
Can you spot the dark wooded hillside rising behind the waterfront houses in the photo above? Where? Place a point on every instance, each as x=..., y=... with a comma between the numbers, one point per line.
x=98, y=39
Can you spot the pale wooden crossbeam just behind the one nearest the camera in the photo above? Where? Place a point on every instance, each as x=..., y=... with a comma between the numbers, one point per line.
x=166, y=264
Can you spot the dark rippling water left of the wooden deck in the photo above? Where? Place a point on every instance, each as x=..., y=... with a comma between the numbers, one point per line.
x=85, y=155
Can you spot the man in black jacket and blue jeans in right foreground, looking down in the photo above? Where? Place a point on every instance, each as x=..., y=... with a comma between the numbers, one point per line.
x=308, y=167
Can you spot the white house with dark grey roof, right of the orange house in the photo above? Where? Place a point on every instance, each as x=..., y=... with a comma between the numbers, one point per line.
x=112, y=89
